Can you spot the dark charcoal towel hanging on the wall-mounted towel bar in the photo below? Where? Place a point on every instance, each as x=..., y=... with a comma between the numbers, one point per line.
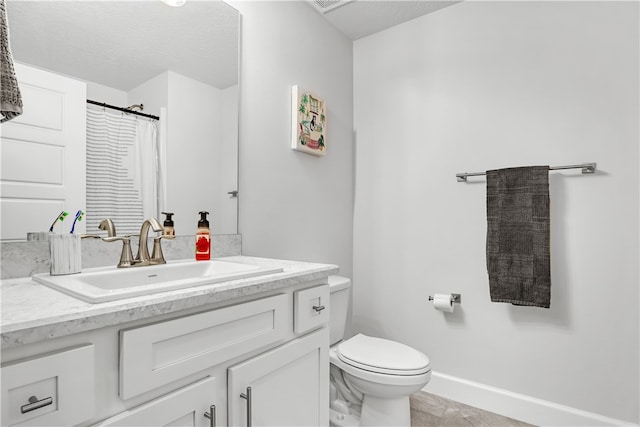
x=518, y=255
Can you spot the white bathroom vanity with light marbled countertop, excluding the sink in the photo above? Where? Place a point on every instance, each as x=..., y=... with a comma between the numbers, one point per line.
x=241, y=352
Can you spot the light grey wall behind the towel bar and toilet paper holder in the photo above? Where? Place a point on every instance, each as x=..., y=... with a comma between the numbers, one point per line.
x=482, y=85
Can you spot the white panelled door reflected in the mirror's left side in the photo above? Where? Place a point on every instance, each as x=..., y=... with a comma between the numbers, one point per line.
x=42, y=155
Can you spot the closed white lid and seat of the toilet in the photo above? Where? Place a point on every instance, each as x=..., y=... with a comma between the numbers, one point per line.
x=382, y=356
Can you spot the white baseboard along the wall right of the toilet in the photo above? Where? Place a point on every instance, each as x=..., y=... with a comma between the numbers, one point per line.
x=514, y=405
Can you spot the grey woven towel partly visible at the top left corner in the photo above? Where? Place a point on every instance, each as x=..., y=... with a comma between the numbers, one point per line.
x=10, y=98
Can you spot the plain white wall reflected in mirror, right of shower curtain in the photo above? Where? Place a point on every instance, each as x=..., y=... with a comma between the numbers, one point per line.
x=200, y=150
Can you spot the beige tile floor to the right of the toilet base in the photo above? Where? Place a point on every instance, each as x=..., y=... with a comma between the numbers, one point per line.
x=434, y=411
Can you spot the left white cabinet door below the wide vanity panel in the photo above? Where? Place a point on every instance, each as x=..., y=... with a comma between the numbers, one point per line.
x=184, y=407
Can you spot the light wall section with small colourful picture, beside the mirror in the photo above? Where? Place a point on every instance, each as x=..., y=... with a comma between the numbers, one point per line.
x=294, y=205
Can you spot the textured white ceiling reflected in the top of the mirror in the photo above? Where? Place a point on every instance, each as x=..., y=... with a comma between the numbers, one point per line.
x=122, y=44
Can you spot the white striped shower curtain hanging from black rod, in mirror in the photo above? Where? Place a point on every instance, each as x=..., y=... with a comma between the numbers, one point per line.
x=122, y=170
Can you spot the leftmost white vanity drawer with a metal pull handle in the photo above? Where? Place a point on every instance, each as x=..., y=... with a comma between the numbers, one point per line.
x=50, y=390
